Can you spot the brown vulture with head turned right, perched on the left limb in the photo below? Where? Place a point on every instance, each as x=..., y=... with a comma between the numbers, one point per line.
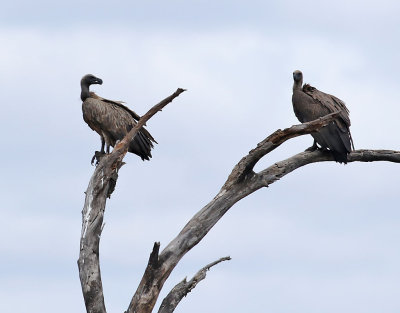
x=112, y=120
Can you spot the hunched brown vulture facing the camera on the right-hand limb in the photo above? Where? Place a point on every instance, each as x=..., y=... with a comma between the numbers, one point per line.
x=310, y=104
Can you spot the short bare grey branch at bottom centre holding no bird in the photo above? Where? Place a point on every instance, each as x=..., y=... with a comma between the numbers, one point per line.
x=171, y=301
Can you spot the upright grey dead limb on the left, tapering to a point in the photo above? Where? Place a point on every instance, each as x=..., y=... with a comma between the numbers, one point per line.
x=100, y=187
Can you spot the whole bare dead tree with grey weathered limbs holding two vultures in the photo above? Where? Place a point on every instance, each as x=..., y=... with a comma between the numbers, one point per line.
x=241, y=182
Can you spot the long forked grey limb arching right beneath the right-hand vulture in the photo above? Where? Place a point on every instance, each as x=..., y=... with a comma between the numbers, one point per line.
x=240, y=183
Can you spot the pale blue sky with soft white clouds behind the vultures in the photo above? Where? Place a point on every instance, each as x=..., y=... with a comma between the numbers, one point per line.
x=324, y=238
